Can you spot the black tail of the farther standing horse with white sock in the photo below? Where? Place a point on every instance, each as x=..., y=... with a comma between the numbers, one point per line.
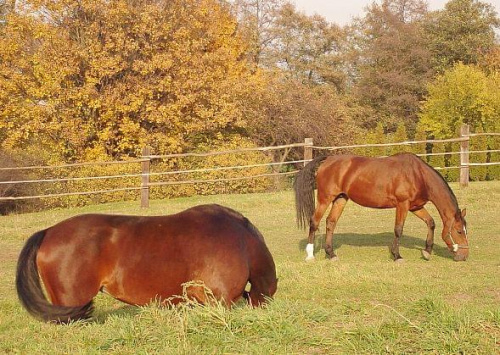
x=304, y=192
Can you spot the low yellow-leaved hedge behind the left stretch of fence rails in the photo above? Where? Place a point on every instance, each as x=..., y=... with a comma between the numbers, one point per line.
x=81, y=181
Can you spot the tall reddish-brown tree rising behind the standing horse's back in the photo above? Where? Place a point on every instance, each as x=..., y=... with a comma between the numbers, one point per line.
x=393, y=62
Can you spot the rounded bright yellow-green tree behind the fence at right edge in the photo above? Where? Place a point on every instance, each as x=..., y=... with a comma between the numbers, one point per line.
x=462, y=95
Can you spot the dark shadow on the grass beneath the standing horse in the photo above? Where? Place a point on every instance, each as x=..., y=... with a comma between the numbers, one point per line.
x=375, y=240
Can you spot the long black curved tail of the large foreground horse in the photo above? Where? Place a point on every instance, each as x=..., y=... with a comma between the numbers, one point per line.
x=30, y=292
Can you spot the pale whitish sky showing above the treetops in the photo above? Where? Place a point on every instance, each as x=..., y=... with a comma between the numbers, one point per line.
x=341, y=12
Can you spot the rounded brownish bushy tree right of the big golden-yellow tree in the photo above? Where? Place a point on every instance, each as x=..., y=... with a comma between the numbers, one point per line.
x=287, y=111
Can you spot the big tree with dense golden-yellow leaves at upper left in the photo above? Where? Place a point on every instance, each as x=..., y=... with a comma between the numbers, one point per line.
x=94, y=79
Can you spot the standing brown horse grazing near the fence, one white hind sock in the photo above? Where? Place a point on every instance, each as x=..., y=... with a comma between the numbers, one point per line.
x=402, y=181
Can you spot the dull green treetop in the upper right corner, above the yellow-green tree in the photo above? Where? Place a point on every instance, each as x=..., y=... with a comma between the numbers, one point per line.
x=463, y=31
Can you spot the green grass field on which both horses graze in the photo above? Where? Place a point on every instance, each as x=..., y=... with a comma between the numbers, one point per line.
x=364, y=303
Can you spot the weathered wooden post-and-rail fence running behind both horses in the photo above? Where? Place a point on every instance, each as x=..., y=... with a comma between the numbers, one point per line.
x=308, y=147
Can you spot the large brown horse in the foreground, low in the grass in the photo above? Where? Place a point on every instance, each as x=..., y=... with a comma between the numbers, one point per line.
x=138, y=259
